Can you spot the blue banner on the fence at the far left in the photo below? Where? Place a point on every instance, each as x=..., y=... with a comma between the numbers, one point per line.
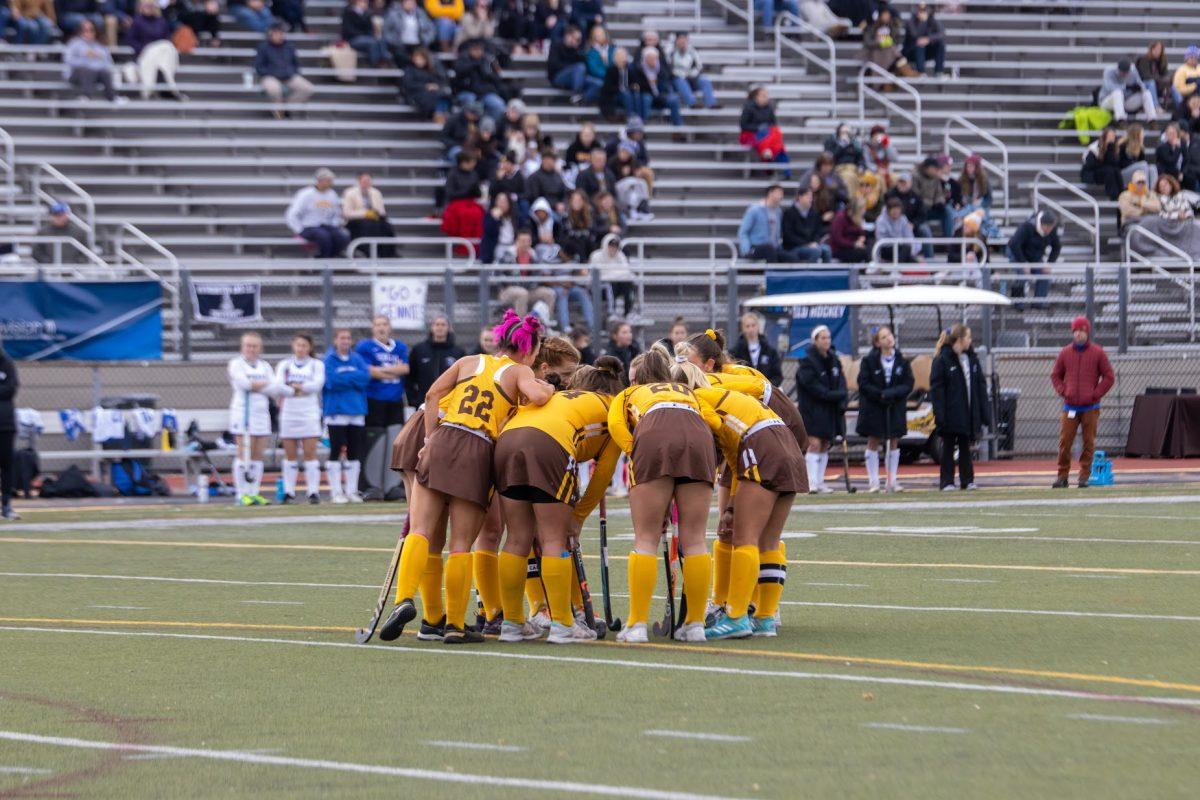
x=88, y=322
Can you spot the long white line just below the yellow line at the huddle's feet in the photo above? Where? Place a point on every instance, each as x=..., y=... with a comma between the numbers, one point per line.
x=407, y=652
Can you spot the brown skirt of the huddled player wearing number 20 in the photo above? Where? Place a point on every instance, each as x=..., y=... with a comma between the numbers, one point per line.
x=674, y=443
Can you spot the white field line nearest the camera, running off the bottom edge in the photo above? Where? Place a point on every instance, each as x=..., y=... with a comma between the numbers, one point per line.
x=561, y=787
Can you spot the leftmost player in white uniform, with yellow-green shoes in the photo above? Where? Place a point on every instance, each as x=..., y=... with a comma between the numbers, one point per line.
x=250, y=417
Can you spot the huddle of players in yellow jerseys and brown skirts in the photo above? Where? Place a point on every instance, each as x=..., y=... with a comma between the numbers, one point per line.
x=496, y=452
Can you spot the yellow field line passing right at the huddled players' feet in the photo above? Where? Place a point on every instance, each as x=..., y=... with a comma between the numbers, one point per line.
x=675, y=648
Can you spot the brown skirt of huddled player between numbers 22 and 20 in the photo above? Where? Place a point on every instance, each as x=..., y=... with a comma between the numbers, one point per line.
x=532, y=467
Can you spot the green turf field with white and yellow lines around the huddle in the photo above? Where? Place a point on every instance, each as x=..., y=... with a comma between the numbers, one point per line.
x=1003, y=645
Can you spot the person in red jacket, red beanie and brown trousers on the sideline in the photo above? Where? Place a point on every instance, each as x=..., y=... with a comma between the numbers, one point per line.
x=1082, y=376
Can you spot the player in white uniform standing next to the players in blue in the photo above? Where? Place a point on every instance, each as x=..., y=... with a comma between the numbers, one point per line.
x=298, y=383
